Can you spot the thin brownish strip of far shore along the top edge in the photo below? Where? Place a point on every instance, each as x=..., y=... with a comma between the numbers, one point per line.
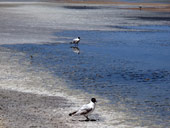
x=155, y=7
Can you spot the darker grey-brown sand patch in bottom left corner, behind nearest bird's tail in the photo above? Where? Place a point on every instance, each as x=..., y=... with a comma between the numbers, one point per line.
x=20, y=110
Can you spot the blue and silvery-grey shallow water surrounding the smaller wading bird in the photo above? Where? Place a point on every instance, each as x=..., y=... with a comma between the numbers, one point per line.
x=123, y=57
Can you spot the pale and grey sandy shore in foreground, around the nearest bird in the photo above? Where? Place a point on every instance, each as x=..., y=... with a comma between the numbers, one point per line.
x=26, y=97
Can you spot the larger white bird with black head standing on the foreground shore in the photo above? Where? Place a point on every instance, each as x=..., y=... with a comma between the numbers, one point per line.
x=86, y=109
